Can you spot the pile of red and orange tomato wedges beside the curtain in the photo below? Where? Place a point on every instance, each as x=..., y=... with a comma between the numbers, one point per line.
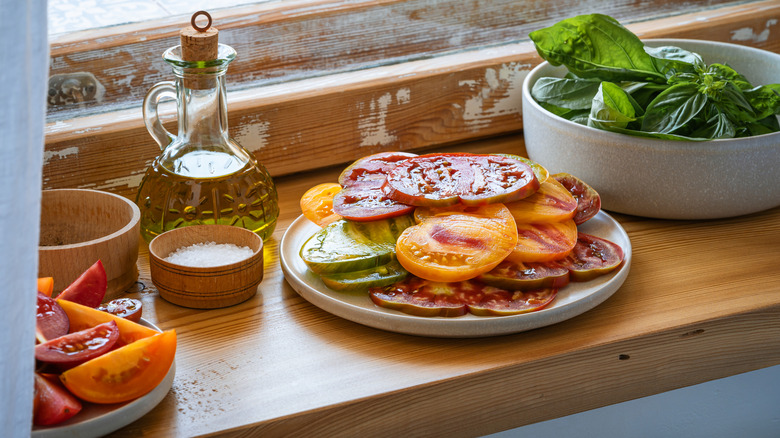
x=90, y=352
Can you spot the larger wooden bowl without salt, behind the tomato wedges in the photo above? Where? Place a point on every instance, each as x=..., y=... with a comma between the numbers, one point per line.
x=80, y=227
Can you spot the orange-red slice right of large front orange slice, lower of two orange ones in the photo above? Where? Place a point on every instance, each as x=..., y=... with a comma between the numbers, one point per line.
x=543, y=242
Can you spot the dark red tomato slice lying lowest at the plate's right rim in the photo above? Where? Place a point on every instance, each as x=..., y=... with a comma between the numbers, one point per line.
x=591, y=257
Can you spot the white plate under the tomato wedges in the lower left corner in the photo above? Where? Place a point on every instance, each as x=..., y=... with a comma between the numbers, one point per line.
x=97, y=420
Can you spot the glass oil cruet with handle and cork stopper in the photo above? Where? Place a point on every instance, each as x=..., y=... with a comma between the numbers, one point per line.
x=202, y=176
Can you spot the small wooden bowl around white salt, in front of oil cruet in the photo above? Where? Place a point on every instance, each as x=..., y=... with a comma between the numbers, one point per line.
x=206, y=287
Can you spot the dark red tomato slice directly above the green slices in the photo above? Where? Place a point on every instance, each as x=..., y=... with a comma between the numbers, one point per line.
x=364, y=202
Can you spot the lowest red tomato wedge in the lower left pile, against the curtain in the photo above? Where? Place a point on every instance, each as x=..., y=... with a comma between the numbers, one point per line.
x=53, y=403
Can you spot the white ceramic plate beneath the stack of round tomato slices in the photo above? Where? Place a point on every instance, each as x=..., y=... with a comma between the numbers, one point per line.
x=571, y=301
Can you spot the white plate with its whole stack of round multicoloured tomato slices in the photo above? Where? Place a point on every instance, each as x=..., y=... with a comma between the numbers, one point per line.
x=480, y=245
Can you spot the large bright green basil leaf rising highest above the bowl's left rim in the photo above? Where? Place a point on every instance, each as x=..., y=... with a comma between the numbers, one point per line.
x=597, y=46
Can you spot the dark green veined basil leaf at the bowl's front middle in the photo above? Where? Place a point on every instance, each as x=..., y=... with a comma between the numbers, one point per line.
x=673, y=108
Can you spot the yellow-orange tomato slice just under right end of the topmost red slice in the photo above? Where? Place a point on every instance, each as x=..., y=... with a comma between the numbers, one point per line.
x=551, y=203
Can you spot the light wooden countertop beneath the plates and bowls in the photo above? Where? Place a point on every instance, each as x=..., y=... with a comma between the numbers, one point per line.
x=701, y=301
